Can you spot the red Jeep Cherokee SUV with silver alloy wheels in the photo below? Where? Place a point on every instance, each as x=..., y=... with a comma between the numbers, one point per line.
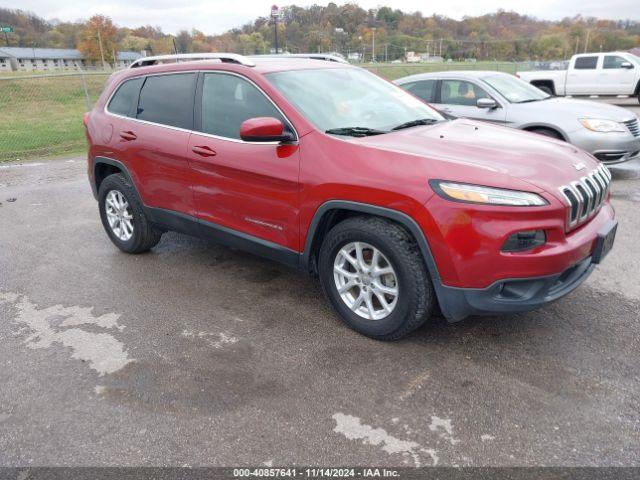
x=333, y=170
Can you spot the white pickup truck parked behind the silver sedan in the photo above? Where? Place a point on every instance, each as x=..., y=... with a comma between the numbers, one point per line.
x=603, y=74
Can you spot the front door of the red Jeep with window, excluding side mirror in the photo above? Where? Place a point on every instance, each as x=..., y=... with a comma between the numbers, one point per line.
x=249, y=187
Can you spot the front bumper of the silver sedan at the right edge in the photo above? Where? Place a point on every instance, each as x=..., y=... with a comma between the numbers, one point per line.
x=610, y=148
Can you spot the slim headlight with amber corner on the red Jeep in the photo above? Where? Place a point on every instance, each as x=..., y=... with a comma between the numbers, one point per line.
x=461, y=192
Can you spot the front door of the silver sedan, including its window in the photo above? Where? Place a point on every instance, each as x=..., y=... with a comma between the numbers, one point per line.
x=459, y=98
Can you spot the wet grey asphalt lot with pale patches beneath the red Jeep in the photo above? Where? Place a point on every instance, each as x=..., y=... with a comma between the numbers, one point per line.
x=198, y=355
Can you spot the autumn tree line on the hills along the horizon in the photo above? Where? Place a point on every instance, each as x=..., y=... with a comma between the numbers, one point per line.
x=347, y=29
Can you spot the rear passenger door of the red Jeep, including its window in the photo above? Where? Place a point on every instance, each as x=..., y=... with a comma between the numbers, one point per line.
x=156, y=141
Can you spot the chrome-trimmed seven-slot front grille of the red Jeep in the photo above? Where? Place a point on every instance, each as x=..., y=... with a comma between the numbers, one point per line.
x=586, y=196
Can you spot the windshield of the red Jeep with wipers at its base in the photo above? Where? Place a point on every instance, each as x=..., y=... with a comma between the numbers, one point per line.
x=344, y=98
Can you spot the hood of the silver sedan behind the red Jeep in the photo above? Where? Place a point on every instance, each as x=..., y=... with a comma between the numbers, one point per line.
x=576, y=109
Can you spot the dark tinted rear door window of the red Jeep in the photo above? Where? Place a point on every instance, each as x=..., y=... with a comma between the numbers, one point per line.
x=168, y=100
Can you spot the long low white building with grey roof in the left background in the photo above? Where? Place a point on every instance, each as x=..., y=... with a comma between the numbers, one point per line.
x=23, y=59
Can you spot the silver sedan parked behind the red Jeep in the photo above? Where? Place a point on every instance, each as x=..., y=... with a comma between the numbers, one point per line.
x=610, y=133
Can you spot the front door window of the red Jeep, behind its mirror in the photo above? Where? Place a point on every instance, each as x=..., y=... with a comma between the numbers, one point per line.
x=229, y=100
